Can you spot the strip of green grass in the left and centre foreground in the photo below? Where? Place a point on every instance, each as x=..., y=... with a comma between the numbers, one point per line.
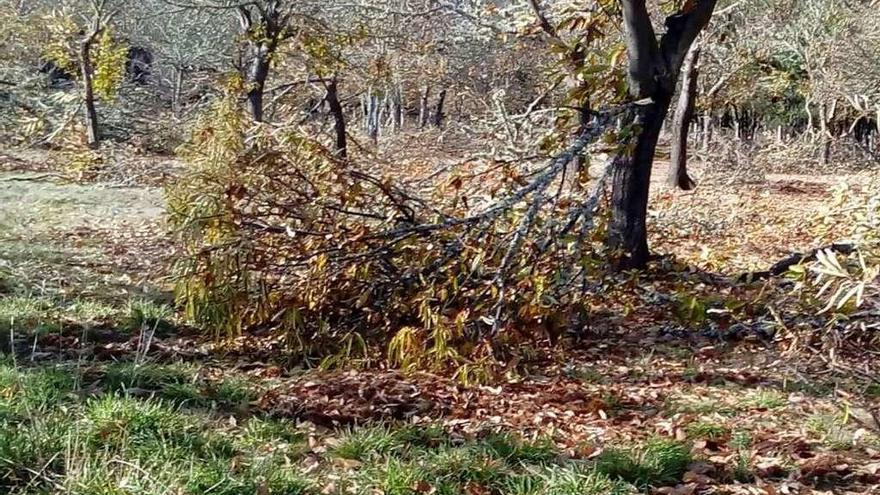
x=93, y=430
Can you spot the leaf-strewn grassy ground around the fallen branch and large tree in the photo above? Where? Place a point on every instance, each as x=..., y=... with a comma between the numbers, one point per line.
x=102, y=391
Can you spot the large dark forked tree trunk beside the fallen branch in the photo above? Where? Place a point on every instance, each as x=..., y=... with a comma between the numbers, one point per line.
x=653, y=70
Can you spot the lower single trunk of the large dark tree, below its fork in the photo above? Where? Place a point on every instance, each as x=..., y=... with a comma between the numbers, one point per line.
x=631, y=179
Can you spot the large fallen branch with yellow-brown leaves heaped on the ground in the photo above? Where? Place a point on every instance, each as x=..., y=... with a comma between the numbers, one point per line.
x=281, y=235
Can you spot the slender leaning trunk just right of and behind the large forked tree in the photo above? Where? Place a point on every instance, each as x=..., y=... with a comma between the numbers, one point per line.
x=684, y=112
